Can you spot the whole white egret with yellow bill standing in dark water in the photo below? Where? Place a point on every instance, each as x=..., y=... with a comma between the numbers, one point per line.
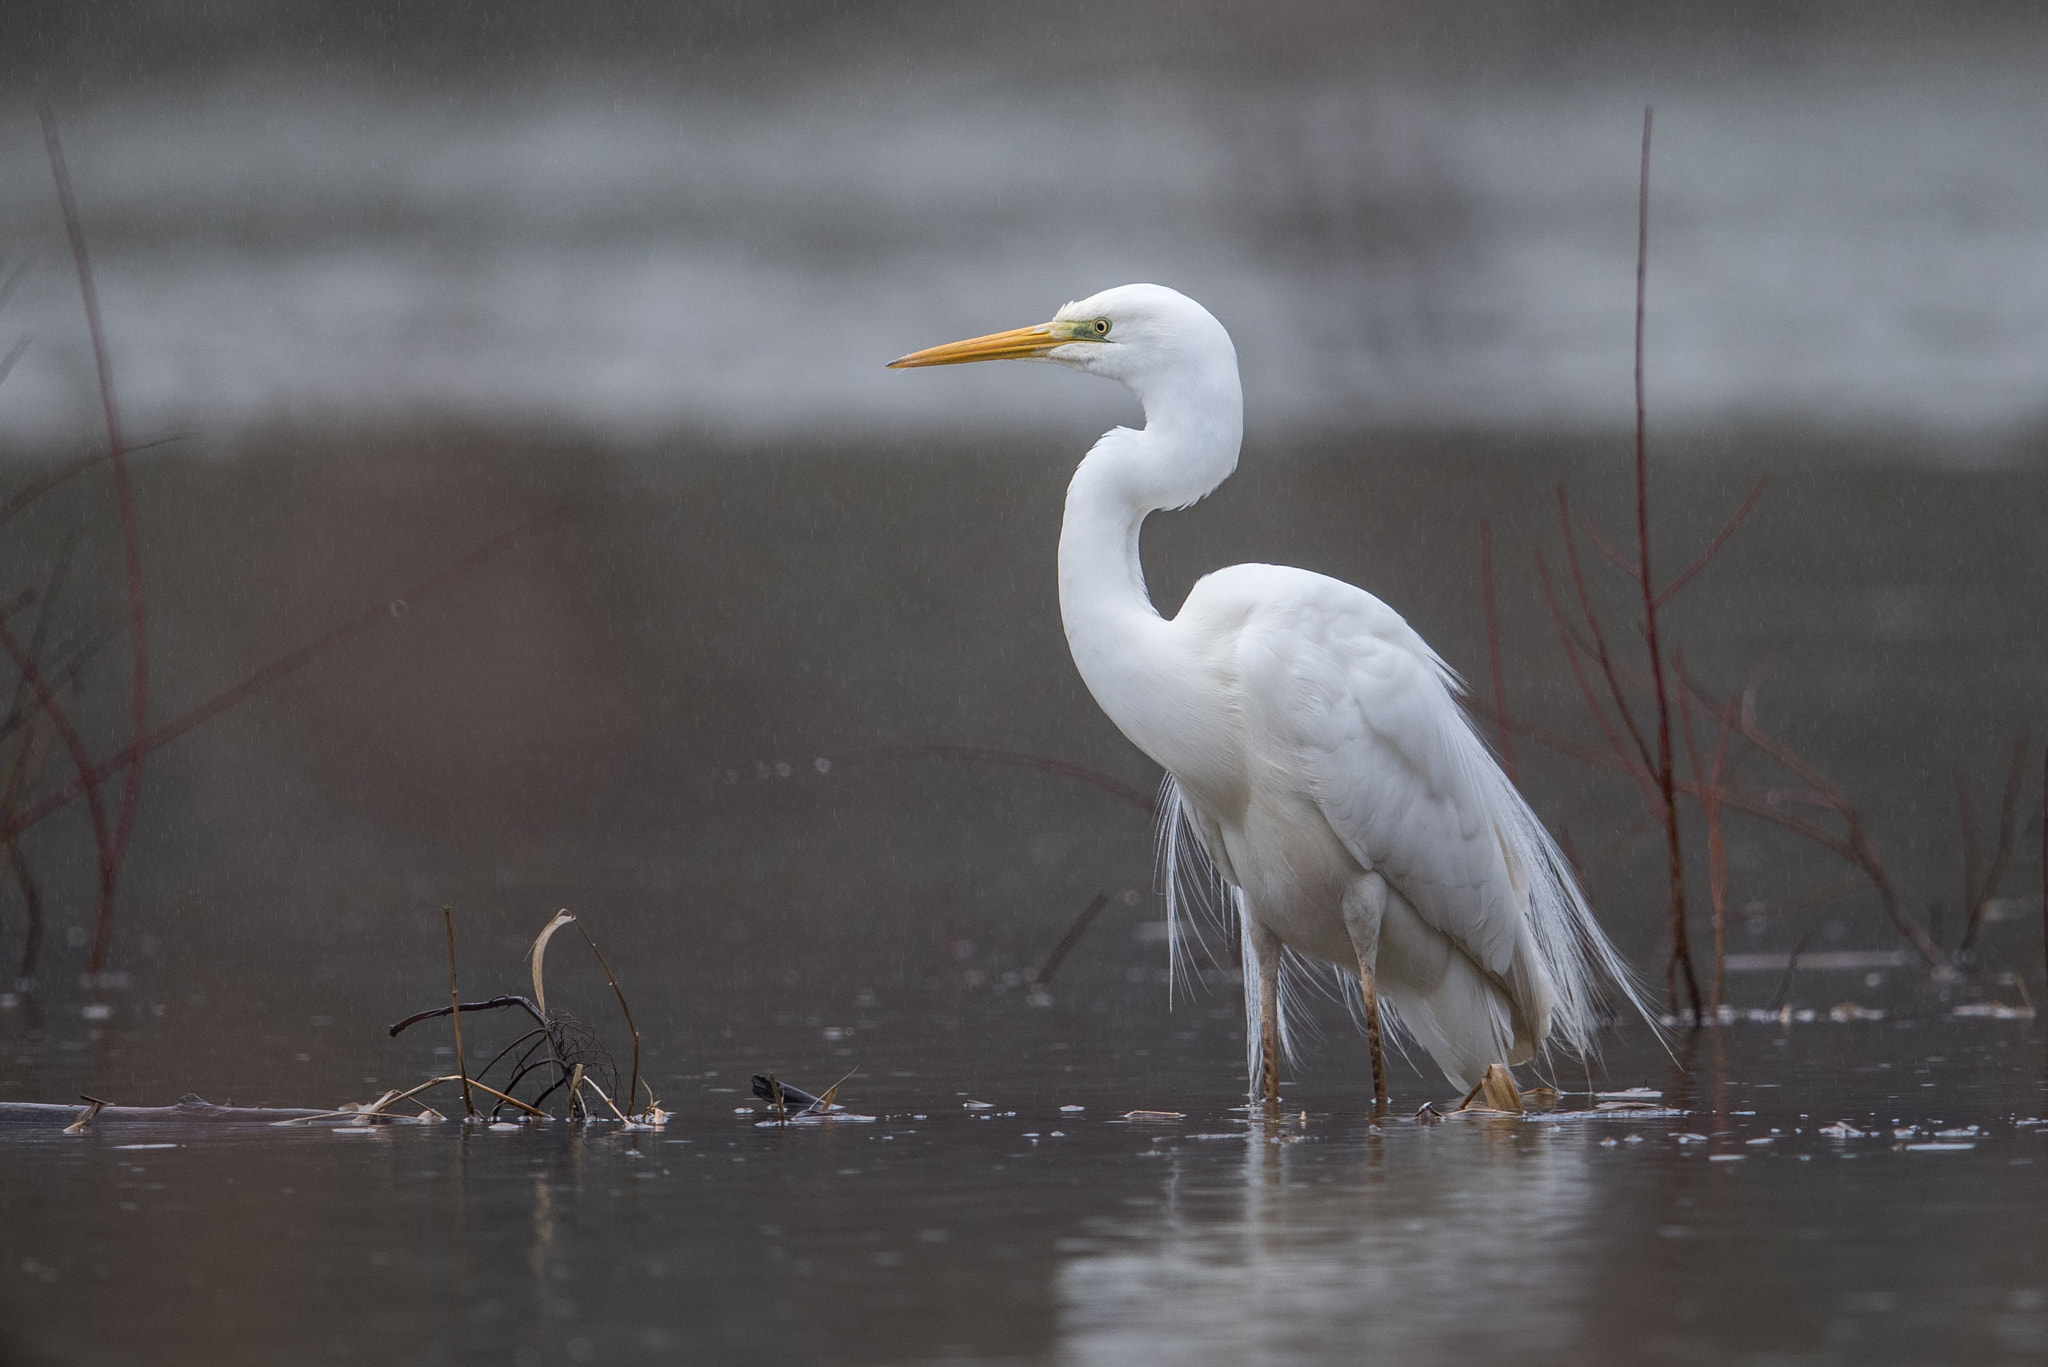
x=1312, y=741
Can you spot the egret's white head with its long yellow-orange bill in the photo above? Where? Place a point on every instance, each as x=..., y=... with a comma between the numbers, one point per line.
x=1132, y=333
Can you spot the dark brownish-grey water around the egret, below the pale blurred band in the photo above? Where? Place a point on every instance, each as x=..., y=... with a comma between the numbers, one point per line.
x=628, y=720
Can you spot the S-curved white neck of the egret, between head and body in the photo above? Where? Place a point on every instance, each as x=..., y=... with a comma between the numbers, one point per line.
x=1129, y=657
